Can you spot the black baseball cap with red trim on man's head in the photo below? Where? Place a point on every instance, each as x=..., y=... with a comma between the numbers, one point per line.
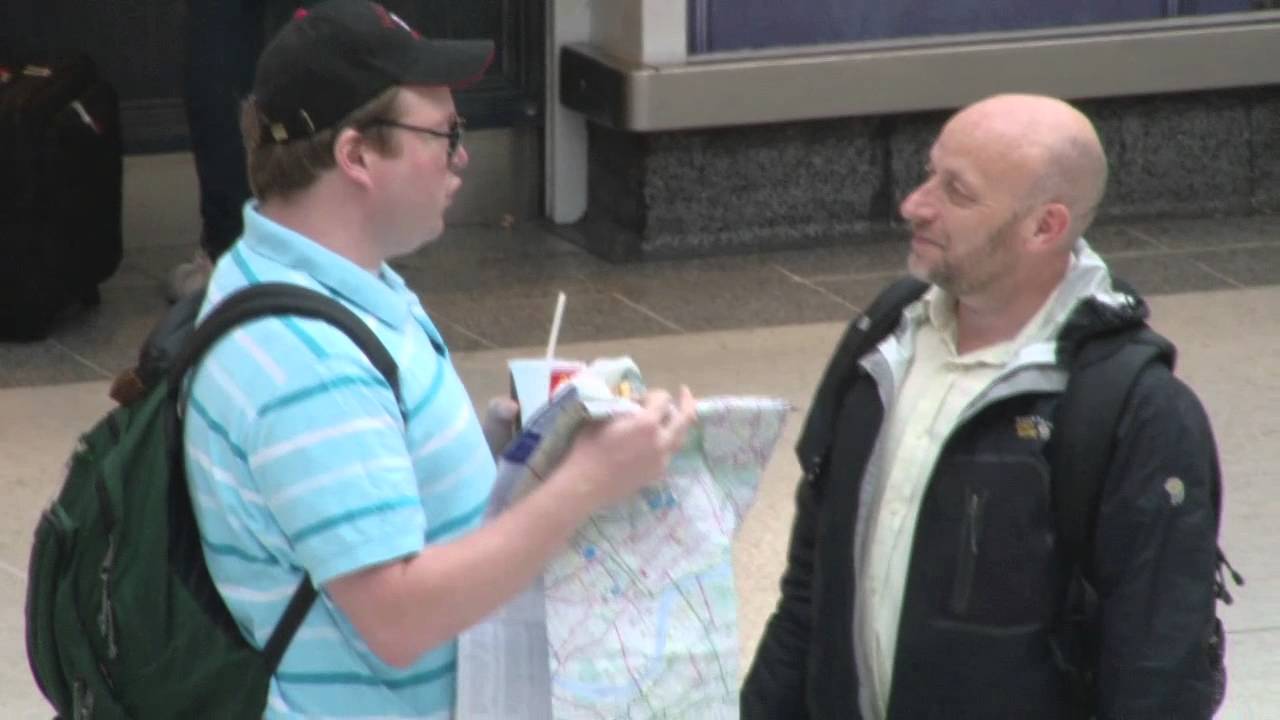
x=333, y=58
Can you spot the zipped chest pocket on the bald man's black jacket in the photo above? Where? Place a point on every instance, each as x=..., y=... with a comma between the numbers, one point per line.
x=994, y=546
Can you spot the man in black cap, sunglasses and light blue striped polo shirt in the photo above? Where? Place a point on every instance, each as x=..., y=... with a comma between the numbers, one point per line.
x=300, y=459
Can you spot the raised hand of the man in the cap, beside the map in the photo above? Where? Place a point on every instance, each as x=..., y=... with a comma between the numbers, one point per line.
x=612, y=461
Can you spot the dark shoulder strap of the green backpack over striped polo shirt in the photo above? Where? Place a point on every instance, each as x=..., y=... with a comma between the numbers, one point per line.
x=260, y=302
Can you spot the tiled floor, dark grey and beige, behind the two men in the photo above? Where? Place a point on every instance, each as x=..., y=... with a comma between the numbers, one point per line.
x=762, y=325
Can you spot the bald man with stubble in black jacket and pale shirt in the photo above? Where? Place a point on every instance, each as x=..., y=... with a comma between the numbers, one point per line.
x=925, y=576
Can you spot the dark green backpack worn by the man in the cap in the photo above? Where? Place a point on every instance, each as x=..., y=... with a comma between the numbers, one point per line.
x=122, y=617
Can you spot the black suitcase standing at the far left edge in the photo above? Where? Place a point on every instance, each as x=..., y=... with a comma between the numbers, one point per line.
x=61, y=193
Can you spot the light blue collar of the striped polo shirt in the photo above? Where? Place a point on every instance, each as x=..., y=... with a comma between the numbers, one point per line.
x=385, y=295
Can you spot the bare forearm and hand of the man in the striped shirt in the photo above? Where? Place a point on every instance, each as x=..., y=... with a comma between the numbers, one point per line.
x=461, y=581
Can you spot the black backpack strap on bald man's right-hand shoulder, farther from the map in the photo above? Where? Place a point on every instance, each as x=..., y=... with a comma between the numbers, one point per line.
x=1099, y=388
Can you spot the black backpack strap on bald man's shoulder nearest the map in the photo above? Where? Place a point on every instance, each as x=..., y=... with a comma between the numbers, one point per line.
x=862, y=335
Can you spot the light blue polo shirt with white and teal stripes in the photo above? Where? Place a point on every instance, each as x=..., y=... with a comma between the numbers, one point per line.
x=299, y=458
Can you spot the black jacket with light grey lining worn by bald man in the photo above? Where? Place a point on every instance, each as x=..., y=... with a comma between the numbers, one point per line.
x=986, y=577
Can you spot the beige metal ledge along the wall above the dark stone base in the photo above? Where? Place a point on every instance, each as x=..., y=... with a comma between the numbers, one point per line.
x=921, y=75
